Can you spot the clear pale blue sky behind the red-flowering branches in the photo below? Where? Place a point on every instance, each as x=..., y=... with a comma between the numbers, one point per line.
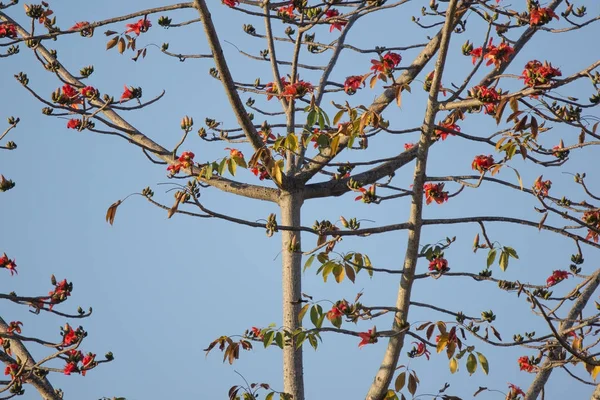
x=163, y=289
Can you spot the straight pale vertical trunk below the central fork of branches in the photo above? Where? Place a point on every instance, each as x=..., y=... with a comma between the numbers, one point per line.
x=290, y=204
